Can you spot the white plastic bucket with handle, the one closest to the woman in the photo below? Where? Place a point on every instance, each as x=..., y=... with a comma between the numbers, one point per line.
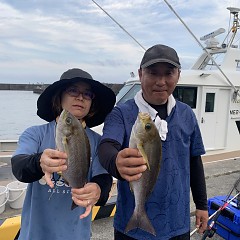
x=17, y=193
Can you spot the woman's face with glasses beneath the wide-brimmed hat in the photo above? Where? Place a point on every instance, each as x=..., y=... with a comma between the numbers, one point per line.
x=77, y=99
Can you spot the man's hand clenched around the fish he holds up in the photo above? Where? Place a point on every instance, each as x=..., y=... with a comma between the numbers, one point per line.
x=130, y=164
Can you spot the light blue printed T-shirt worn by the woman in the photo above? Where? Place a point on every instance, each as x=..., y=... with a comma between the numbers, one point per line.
x=44, y=218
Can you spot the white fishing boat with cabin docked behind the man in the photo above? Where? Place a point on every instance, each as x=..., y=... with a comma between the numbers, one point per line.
x=211, y=88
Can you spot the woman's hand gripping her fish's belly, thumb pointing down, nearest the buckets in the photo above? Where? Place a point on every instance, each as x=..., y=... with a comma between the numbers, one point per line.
x=52, y=161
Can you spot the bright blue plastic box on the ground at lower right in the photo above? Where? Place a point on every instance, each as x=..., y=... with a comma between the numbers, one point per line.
x=228, y=223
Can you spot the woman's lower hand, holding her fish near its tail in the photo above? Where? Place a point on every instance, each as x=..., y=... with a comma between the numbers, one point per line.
x=86, y=197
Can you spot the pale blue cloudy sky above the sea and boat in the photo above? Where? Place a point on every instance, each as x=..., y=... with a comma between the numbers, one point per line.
x=40, y=39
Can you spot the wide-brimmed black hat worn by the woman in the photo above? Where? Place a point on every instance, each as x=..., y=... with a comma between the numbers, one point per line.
x=104, y=97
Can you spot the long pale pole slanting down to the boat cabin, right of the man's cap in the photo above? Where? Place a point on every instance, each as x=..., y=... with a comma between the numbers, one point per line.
x=203, y=48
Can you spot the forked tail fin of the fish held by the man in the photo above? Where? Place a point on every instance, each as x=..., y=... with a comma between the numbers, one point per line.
x=140, y=220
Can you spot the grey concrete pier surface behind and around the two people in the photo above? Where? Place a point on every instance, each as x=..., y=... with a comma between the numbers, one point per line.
x=220, y=174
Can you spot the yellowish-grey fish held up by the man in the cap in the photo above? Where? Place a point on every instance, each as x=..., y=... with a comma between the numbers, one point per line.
x=145, y=137
